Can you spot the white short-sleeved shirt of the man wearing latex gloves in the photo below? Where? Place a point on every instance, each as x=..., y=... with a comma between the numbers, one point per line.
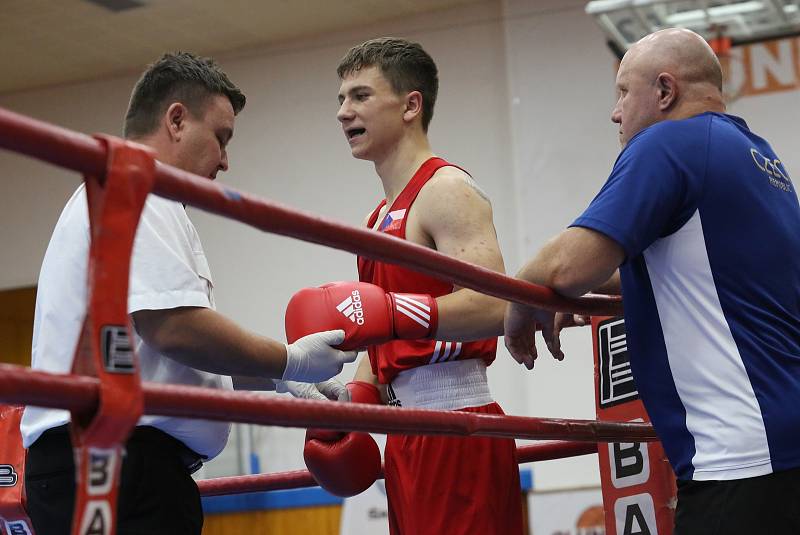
x=168, y=270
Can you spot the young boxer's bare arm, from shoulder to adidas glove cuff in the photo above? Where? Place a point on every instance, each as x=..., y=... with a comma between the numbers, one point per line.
x=457, y=216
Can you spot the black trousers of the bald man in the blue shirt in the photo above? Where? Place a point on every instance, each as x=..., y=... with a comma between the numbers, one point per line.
x=763, y=505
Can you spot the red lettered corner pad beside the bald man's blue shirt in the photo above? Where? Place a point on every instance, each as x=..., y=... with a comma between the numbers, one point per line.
x=638, y=484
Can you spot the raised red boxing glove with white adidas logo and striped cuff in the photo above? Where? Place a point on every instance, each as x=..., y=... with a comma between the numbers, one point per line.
x=366, y=313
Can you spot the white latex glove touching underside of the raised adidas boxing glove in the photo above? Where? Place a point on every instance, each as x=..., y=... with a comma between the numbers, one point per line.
x=311, y=358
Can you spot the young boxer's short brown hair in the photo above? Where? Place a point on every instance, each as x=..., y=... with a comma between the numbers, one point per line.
x=405, y=65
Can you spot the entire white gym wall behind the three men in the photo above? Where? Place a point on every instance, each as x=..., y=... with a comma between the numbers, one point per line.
x=524, y=104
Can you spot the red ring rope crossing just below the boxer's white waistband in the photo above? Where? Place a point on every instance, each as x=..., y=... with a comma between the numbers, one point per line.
x=23, y=385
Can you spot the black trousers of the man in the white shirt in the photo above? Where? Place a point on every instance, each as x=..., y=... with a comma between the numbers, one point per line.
x=157, y=494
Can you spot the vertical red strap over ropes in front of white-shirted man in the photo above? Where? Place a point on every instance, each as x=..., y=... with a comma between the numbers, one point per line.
x=105, y=349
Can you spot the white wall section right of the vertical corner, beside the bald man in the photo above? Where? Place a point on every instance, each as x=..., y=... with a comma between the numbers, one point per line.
x=561, y=81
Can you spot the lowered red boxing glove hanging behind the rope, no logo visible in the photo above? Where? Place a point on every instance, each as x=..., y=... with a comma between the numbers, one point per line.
x=345, y=464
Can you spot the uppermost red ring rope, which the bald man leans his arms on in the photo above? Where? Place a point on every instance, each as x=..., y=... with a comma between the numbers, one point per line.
x=87, y=155
